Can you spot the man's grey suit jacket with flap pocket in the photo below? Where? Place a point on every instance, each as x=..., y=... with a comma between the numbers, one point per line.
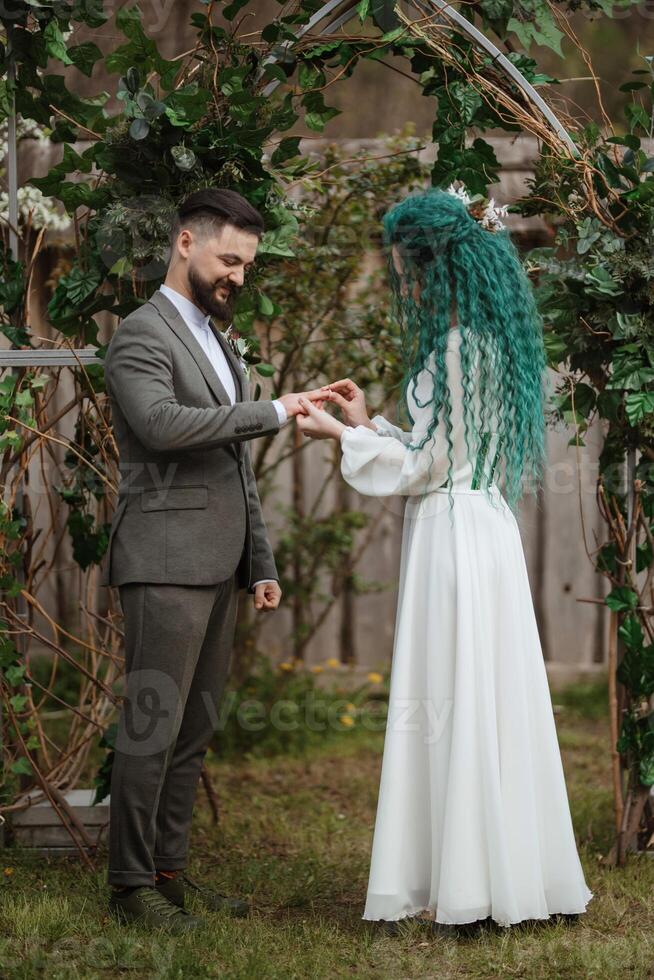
x=188, y=511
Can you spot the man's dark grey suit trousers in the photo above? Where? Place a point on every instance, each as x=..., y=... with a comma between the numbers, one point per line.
x=178, y=644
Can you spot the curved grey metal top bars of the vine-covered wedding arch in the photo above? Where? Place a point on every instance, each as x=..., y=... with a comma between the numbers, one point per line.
x=428, y=7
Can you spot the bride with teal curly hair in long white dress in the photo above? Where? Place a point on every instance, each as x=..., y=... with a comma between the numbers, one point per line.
x=473, y=820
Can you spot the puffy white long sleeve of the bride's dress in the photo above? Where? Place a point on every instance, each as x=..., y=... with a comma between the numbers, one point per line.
x=379, y=466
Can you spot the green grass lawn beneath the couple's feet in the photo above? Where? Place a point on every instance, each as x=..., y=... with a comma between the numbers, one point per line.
x=294, y=837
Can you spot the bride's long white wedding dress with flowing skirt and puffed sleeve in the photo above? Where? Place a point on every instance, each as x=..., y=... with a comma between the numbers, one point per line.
x=473, y=817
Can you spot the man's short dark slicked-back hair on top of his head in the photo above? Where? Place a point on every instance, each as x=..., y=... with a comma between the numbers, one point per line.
x=209, y=209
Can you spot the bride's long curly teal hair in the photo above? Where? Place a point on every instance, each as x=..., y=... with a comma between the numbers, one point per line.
x=454, y=259
